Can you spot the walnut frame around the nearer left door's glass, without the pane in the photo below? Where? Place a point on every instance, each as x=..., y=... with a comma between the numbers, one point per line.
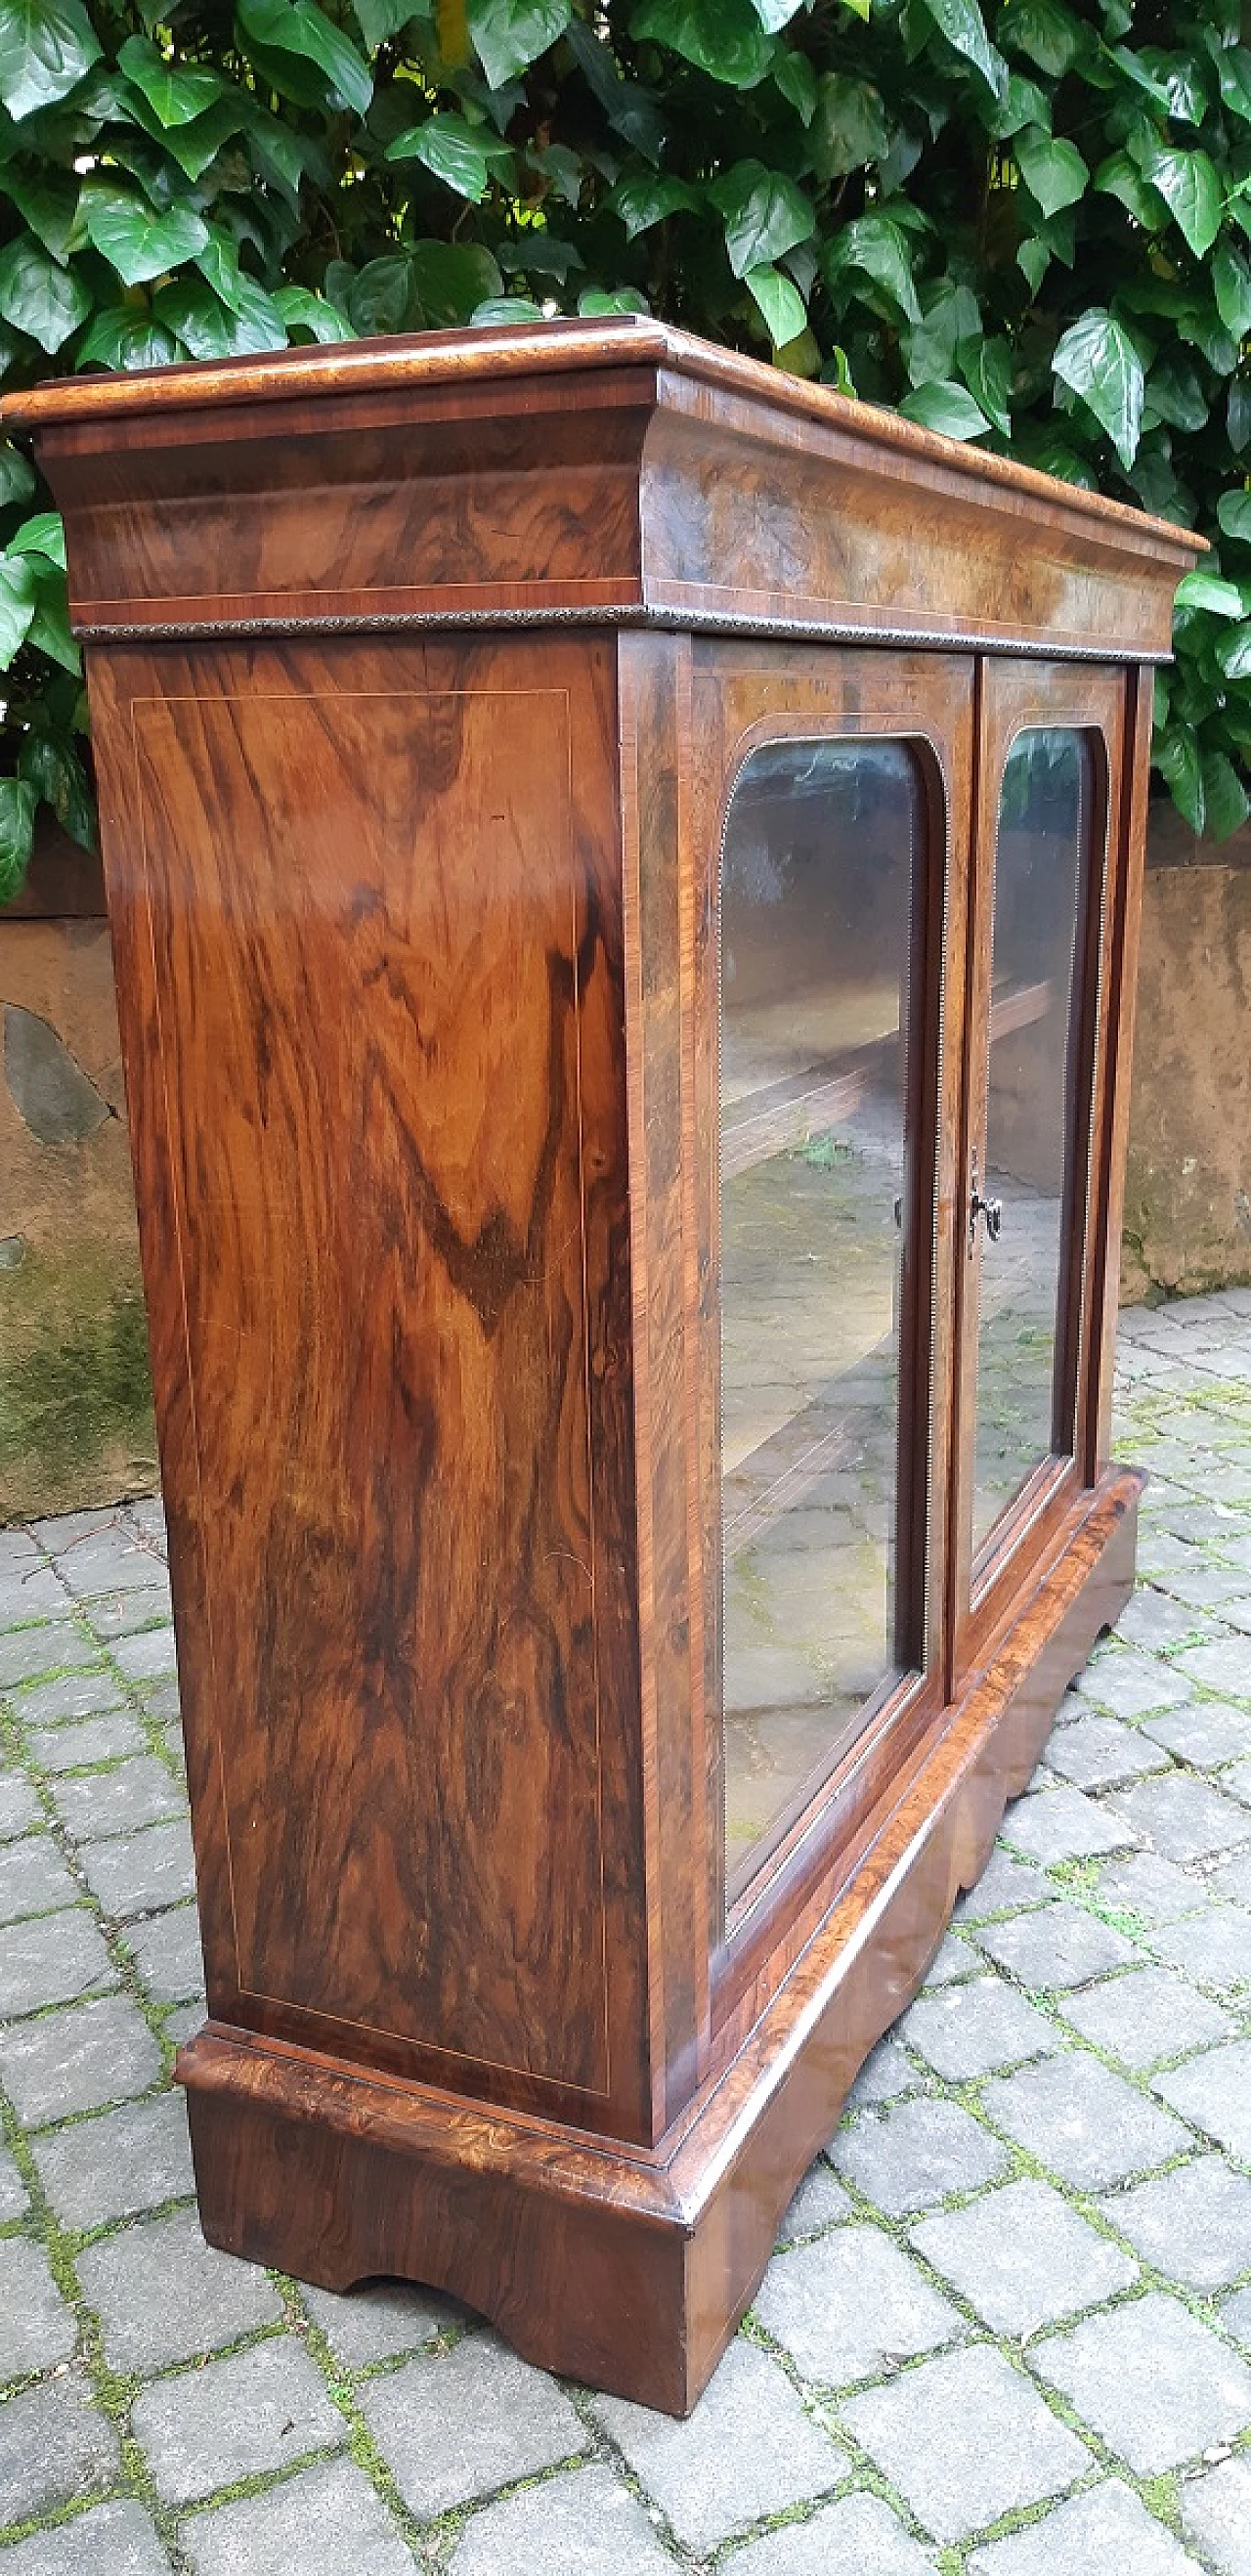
x=740, y=702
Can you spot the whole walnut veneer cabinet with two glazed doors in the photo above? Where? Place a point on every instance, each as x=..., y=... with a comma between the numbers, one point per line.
x=624, y=880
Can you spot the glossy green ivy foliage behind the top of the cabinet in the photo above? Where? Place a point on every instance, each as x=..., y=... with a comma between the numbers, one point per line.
x=1021, y=223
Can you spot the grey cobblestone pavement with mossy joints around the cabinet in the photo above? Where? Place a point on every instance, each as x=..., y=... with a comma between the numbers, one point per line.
x=1008, y=2327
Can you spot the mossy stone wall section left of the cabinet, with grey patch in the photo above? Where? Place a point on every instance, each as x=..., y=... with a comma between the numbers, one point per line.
x=76, y=1400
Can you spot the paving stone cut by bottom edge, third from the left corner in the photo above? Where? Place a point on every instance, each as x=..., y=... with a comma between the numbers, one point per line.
x=580, y=2526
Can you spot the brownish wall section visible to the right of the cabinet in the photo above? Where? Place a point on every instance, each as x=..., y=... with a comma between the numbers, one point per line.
x=1188, y=1186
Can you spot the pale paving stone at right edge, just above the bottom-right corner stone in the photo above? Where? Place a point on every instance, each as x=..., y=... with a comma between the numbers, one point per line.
x=1152, y=2382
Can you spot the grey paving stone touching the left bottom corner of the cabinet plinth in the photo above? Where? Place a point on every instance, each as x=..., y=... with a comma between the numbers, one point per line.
x=163, y=2297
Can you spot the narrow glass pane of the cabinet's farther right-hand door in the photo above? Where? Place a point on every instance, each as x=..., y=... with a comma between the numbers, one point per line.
x=1033, y=1127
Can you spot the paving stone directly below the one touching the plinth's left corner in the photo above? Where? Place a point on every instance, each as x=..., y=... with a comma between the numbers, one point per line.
x=233, y=2420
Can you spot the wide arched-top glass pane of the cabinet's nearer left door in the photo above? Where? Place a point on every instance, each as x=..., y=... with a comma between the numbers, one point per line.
x=817, y=905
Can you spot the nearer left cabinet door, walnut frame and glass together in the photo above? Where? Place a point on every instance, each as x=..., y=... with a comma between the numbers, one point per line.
x=833, y=802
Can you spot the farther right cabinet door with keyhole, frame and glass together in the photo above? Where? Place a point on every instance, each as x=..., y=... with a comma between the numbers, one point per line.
x=1049, y=782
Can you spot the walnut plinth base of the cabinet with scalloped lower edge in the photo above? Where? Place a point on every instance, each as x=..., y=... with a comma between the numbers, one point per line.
x=619, y=2266
